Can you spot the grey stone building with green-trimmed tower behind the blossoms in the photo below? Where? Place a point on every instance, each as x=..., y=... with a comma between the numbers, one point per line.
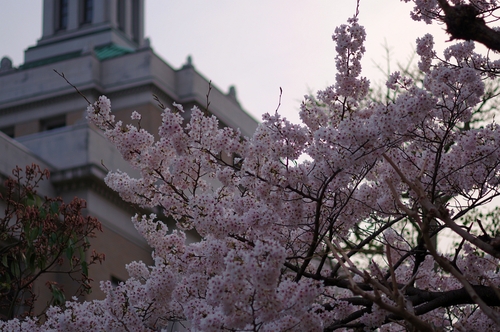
x=100, y=47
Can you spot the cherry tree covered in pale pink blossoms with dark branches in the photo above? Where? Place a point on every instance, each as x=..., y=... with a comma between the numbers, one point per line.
x=333, y=224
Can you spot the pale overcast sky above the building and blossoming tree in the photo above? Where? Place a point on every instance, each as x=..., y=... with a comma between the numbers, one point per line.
x=256, y=45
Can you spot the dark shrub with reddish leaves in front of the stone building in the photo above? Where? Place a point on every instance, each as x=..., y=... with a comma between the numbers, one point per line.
x=41, y=235
